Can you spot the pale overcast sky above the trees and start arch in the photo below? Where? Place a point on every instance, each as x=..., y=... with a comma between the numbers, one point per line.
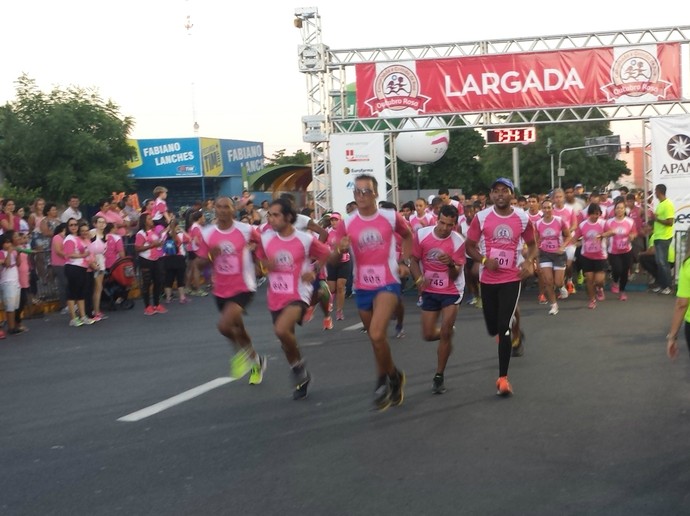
x=234, y=72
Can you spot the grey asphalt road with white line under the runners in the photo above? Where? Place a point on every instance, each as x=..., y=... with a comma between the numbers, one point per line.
x=111, y=419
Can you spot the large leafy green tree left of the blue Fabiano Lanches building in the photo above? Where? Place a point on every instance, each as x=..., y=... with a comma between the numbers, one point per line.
x=69, y=141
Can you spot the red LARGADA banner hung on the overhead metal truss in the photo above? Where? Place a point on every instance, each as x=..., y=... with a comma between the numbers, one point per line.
x=611, y=75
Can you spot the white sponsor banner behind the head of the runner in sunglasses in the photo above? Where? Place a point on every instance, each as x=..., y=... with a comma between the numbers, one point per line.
x=353, y=155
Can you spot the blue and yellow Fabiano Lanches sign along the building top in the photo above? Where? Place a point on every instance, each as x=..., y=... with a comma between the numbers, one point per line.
x=189, y=157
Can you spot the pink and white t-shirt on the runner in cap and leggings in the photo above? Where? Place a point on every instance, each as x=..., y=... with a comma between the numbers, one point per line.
x=501, y=237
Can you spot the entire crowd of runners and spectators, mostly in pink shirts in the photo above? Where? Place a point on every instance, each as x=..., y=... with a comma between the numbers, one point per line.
x=481, y=250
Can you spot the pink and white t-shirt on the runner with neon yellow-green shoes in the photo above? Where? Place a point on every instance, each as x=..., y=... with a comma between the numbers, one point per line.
x=233, y=269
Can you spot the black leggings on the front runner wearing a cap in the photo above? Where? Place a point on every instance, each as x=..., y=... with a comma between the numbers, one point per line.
x=499, y=303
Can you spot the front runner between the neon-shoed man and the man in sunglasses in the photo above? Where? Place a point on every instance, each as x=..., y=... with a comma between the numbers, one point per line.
x=287, y=254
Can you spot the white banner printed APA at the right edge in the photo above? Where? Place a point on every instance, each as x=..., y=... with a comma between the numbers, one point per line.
x=671, y=162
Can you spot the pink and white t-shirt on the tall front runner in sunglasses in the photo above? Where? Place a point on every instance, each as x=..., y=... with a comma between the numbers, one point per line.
x=373, y=247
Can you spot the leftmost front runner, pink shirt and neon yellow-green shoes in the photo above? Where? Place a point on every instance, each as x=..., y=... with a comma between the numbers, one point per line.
x=228, y=246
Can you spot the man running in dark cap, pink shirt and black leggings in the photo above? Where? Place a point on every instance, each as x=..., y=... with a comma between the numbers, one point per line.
x=501, y=231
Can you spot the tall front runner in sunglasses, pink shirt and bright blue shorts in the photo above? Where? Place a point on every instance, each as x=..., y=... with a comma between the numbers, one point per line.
x=369, y=233
